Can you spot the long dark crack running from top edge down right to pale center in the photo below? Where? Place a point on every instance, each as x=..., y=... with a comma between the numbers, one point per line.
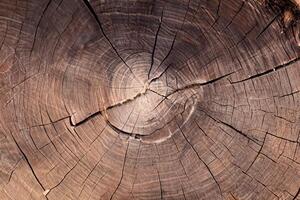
x=88, y=5
